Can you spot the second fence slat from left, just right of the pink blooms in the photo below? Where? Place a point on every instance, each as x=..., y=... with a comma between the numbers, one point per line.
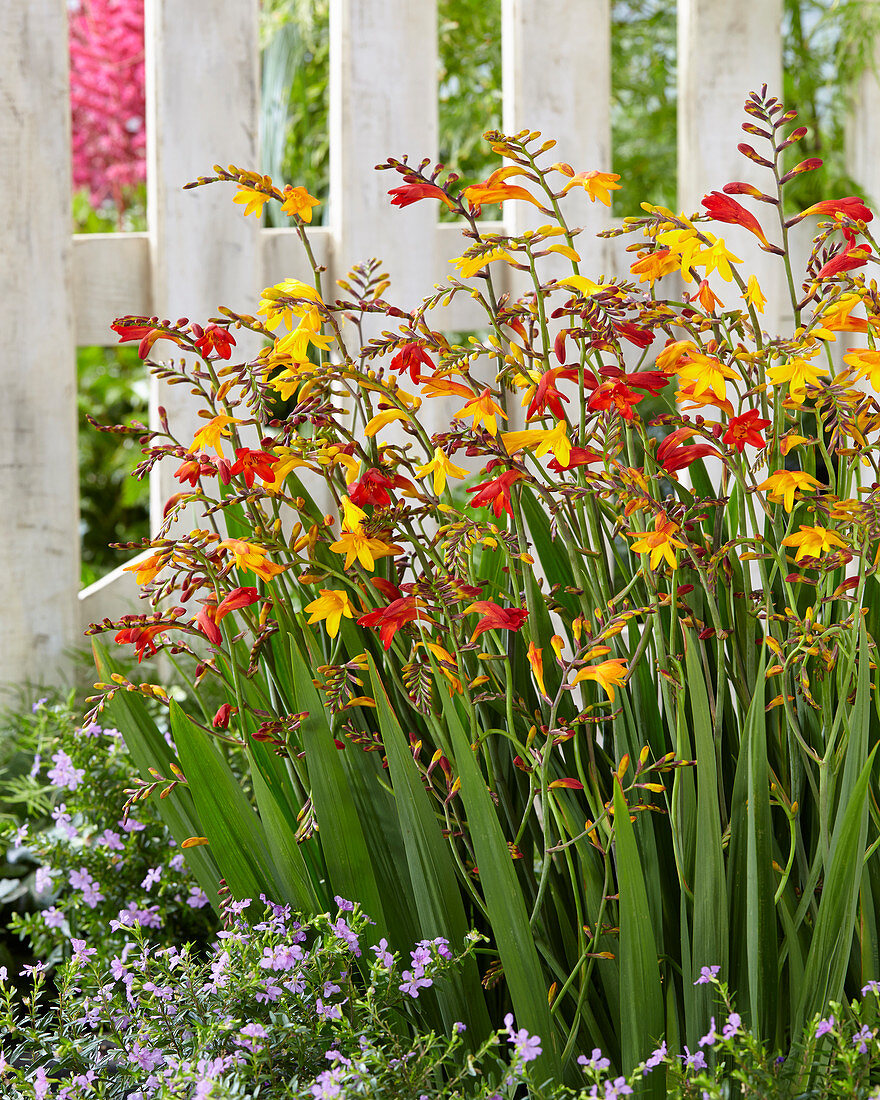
x=203, y=67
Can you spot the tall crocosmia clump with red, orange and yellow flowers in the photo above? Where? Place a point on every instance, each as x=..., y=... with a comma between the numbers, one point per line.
x=585, y=661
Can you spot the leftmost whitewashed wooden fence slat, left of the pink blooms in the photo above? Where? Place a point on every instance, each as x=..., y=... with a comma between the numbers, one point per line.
x=39, y=469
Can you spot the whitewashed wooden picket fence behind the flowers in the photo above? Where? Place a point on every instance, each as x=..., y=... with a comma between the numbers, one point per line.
x=60, y=291
